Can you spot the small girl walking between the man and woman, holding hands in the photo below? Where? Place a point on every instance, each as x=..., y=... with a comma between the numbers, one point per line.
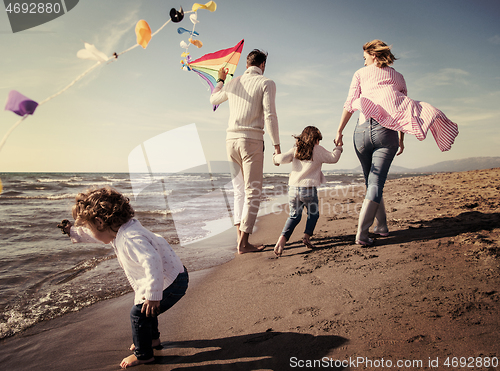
x=306, y=157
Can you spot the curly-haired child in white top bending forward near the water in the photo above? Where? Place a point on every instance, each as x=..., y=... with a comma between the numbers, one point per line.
x=153, y=269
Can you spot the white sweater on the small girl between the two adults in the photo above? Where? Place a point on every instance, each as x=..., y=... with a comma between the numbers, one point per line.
x=308, y=173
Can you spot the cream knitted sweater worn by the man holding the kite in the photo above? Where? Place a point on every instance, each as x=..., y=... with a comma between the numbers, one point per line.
x=251, y=105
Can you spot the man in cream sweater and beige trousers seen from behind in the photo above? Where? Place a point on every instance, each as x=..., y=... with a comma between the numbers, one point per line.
x=251, y=107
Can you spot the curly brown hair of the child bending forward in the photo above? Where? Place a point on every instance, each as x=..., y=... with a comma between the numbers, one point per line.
x=106, y=203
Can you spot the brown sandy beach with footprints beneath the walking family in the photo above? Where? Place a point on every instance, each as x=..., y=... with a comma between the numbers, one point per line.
x=426, y=297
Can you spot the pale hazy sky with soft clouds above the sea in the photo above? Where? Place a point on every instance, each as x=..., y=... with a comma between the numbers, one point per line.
x=448, y=52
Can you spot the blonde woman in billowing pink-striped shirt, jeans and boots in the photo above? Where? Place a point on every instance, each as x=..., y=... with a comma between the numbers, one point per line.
x=379, y=93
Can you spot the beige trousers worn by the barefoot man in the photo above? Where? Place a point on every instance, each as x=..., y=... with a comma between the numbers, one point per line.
x=247, y=155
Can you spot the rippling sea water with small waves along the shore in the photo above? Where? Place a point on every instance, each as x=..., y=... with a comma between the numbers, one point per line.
x=43, y=275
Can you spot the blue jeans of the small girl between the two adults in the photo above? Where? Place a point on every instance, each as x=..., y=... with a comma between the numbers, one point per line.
x=298, y=198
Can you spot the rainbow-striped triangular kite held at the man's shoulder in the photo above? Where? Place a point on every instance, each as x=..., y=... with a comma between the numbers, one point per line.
x=208, y=66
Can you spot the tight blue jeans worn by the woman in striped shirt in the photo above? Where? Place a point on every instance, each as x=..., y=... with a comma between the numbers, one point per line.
x=376, y=147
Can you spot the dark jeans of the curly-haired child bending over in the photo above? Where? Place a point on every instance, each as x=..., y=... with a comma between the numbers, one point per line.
x=145, y=329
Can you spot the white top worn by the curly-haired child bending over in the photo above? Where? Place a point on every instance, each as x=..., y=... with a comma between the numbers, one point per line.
x=148, y=260
